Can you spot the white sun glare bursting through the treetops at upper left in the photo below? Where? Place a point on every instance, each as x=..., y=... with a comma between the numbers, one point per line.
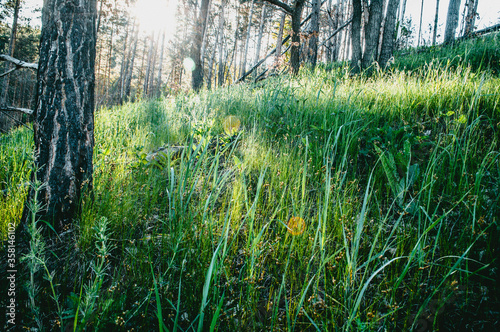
x=156, y=15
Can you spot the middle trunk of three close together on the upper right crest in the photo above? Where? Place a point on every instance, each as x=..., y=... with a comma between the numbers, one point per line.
x=372, y=34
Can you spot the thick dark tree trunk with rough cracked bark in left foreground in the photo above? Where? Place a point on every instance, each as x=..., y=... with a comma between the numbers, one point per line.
x=64, y=122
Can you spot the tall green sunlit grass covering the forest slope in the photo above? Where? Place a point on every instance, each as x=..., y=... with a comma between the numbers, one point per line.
x=396, y=177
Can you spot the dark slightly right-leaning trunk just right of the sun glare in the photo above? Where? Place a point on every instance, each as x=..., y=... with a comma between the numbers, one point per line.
x=199, y=33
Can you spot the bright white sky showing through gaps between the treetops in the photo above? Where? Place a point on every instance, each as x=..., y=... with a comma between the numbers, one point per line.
x=161, y=13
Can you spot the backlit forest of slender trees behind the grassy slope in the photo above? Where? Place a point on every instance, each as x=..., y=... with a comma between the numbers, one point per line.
x=227, y=40
